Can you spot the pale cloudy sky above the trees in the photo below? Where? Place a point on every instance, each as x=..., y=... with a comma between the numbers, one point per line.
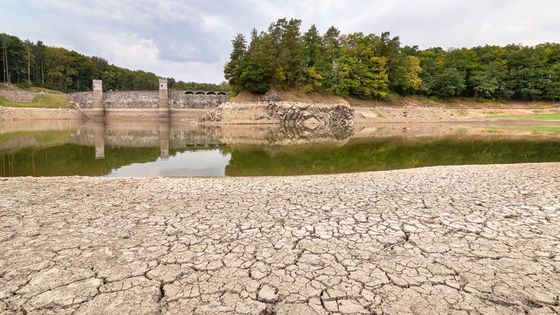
x=191, y=40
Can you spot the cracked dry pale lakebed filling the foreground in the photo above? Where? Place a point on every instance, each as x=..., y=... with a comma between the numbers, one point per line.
x=466, y=239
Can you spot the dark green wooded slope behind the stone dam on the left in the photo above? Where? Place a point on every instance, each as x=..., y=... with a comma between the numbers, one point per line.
x=27, y=64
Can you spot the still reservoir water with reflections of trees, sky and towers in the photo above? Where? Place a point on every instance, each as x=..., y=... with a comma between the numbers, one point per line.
x=175, y=149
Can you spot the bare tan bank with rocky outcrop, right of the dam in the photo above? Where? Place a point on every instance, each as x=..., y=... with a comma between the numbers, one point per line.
x=342, y=115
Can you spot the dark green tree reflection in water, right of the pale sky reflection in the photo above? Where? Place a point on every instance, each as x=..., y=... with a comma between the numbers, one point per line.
x=385, y=154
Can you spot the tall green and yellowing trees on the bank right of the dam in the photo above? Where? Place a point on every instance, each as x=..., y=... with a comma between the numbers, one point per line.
x=370, y=66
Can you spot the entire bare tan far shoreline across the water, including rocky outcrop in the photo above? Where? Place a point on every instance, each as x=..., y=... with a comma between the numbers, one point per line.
x=326, y=116
